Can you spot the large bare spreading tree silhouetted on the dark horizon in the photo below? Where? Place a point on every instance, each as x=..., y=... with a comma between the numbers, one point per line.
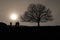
x=37, y=13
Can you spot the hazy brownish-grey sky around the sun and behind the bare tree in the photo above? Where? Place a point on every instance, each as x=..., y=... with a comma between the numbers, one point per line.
x=19, y=6
